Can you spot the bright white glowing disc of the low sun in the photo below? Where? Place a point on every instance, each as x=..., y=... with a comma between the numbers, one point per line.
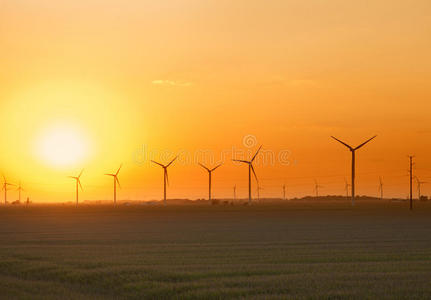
x=62, y=146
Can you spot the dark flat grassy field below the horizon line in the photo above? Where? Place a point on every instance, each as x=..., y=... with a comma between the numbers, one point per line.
x=295, y=250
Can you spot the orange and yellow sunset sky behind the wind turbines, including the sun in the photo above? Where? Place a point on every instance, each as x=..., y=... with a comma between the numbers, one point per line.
x=94, y=84
